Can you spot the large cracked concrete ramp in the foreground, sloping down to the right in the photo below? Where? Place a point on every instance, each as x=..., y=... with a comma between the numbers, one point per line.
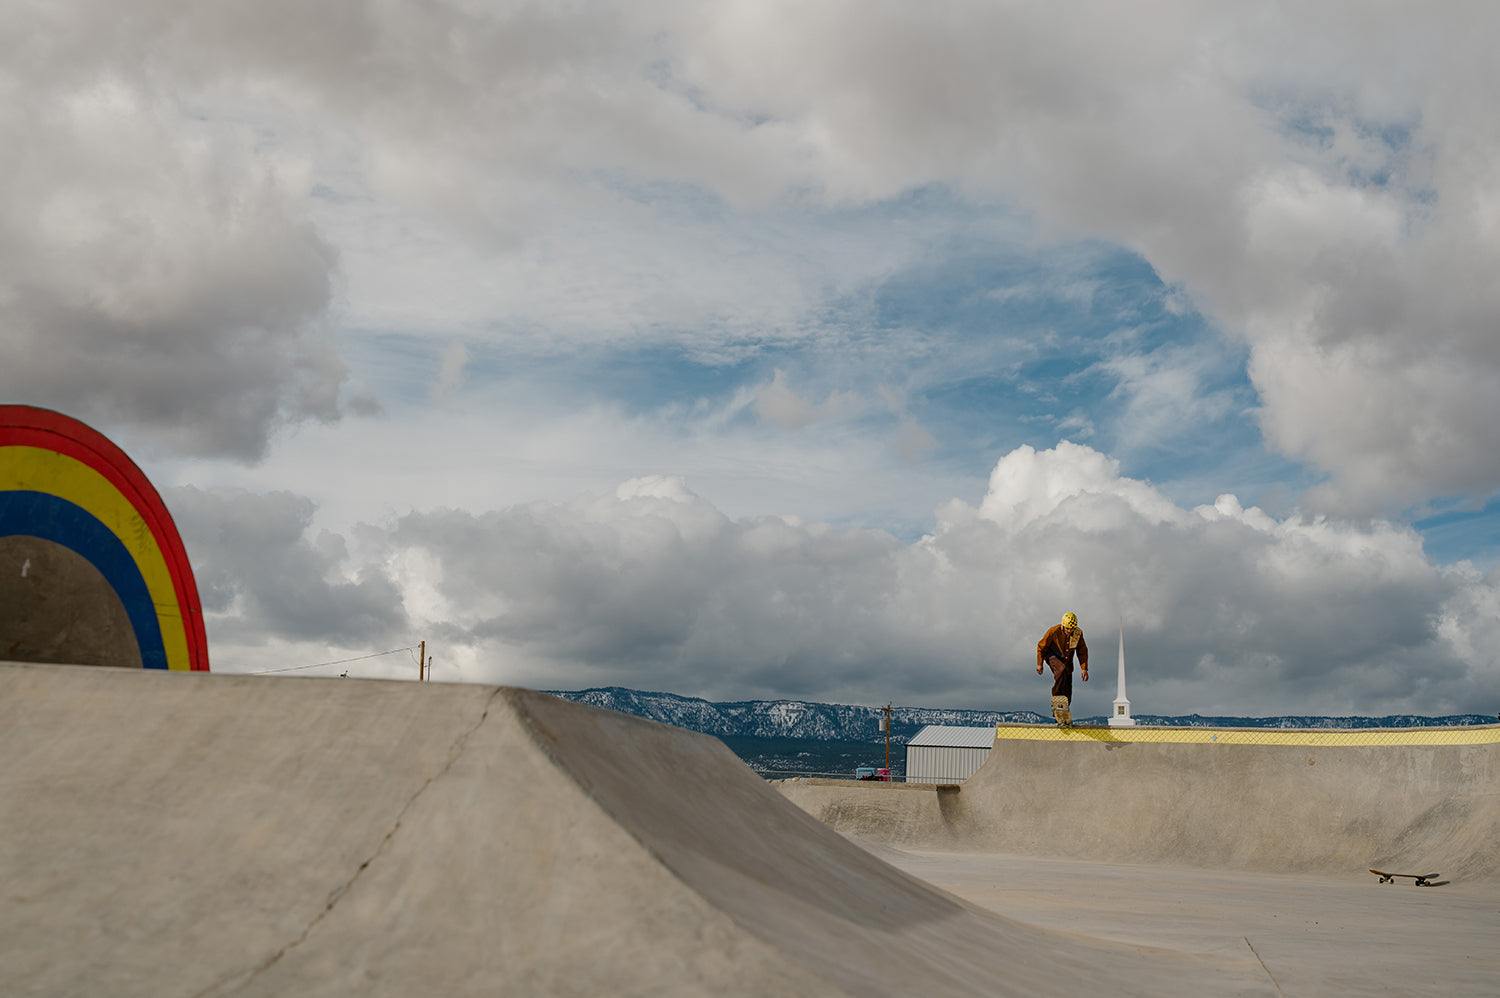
x=217, y=835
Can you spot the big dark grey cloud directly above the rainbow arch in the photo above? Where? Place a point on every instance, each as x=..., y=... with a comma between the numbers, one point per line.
x=158, y=272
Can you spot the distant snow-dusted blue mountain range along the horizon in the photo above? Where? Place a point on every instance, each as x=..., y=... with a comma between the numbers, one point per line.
x=845, y=723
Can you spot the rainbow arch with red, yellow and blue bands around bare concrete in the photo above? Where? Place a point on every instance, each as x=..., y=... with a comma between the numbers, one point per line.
x=67, y=487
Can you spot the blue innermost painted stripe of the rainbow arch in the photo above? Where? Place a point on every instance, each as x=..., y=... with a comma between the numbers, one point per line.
x=56, y=520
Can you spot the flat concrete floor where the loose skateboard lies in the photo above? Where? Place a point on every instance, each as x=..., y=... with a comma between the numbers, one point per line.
x=1313, y=936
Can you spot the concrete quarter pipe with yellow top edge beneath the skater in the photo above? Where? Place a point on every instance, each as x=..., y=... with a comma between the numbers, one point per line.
x=1330, y=802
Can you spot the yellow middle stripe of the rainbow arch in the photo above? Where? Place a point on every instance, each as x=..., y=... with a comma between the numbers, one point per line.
x=37, y=470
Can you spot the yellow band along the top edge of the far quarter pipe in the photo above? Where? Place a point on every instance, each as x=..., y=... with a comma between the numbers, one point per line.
x=1475, y=735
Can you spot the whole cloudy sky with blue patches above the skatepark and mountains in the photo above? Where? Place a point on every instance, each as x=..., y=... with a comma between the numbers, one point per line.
x=815, y=350
